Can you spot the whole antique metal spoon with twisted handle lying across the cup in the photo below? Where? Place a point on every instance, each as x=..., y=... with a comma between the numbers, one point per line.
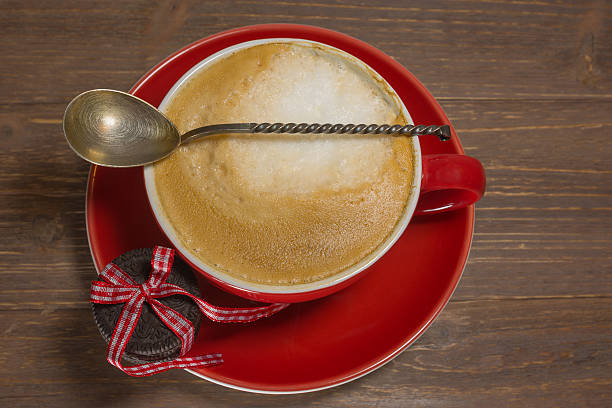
x=116, y=129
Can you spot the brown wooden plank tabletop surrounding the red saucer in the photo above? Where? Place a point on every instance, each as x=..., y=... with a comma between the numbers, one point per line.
x=528, y=87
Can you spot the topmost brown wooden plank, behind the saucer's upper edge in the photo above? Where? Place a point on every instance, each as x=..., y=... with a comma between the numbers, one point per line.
x=52, y=50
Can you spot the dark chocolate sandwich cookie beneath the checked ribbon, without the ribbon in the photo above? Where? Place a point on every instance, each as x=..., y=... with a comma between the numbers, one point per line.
x=151, y=340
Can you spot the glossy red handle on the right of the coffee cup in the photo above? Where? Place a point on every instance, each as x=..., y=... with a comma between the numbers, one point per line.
x=449, y=182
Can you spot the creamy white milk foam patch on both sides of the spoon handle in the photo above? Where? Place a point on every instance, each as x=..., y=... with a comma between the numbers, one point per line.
x=307, y=85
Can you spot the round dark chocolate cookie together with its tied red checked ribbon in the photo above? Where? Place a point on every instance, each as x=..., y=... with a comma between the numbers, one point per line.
x=131, y=303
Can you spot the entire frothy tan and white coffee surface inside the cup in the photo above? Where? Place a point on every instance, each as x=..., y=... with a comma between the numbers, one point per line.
x=284, y=209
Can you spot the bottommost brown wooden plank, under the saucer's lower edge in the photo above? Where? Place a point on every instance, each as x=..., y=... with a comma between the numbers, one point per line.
x=475, y=354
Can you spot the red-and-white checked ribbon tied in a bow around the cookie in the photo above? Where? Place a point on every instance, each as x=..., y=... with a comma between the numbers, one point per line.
x=118, y=287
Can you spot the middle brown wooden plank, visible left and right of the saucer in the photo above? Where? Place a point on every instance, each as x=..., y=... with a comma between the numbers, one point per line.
x=543, y=217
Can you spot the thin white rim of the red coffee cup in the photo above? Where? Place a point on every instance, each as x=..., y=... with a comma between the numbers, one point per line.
x=336, y=279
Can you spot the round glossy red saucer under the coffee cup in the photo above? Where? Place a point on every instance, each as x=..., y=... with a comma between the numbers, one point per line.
x=325, y=342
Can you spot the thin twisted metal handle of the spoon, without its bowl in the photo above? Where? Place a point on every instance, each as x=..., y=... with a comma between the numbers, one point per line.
x=443, y=132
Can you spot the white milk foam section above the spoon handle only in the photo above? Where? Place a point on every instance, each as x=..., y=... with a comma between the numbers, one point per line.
x=309, y=85
